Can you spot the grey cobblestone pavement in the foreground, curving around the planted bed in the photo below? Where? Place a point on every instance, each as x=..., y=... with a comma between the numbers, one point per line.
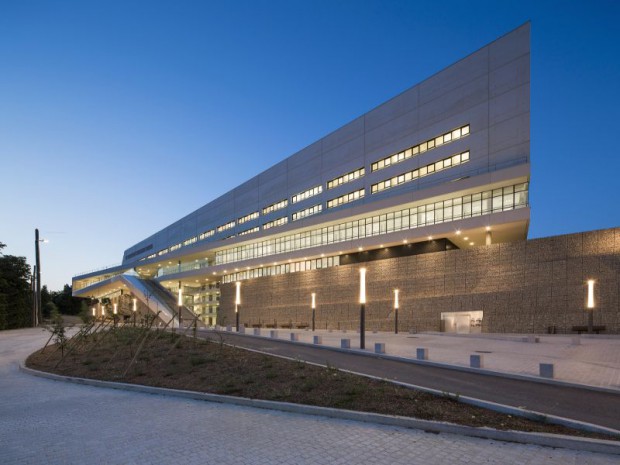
x=49, y=422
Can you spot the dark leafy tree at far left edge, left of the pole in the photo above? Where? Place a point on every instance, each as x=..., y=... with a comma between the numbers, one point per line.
x=15, y=293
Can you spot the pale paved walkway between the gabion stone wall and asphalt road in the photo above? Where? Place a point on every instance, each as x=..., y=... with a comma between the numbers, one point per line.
x=593, y=361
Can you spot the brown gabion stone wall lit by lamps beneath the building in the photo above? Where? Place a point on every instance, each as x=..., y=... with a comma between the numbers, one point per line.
x=522, y=287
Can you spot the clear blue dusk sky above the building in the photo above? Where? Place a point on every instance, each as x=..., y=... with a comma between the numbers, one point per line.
x=119, y=117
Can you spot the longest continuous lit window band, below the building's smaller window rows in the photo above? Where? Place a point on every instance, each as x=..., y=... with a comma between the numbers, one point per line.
x=482, y=203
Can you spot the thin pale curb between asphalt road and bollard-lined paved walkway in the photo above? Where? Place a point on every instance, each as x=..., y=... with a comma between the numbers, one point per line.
x=481, y=371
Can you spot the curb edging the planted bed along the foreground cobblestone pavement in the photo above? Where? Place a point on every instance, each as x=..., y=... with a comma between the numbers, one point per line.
x=540, y=439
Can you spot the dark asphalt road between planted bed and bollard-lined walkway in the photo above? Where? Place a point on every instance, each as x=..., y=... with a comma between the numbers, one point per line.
x=599, y=408
